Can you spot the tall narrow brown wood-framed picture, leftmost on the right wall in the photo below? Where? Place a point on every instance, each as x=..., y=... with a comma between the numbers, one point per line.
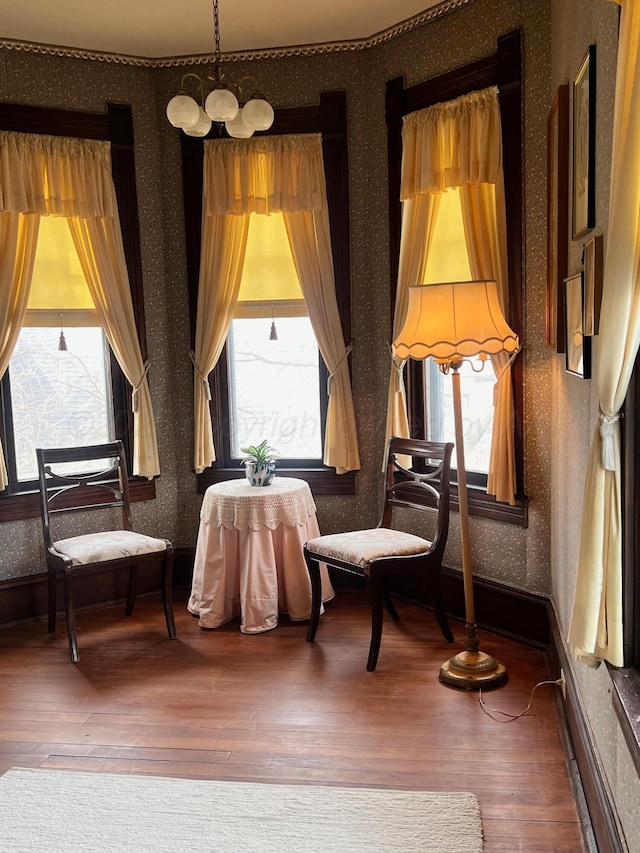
x=557, y=214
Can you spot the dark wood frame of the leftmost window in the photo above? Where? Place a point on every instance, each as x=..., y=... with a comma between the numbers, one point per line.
x=115, y=126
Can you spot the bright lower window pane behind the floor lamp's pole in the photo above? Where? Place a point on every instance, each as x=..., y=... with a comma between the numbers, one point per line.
x=477, y=412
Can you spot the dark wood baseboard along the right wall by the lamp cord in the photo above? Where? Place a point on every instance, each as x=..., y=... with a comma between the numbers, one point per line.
x=597, y=810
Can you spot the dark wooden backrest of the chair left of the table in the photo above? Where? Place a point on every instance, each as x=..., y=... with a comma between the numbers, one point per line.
x=101, y=484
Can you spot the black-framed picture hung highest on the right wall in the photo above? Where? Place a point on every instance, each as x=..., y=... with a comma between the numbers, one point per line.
x=584, y=136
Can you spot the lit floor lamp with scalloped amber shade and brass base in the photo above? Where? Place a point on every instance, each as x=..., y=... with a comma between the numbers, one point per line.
x=453, y=323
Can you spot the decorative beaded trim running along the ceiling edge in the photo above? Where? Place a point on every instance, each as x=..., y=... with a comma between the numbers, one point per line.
x=444, y=8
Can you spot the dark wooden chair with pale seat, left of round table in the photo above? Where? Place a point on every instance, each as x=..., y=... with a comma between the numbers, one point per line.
x=65, y=491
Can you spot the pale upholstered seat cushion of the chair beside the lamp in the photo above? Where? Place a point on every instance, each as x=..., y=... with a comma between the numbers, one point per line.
x=362, y=546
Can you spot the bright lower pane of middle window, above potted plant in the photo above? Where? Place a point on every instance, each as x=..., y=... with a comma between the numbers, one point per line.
x=274, y=387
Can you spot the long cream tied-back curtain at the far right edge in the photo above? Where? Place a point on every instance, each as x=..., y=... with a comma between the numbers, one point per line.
x=595, y=632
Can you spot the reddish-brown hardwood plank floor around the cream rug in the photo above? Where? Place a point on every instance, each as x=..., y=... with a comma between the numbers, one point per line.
x=273, y=708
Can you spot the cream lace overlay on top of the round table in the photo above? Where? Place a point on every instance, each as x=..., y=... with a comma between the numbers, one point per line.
x=237, y=504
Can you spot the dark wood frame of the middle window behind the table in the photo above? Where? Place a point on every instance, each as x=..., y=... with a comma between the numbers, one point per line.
x=329, y=118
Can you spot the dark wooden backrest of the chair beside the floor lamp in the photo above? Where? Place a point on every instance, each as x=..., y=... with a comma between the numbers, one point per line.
x=426, y=487
